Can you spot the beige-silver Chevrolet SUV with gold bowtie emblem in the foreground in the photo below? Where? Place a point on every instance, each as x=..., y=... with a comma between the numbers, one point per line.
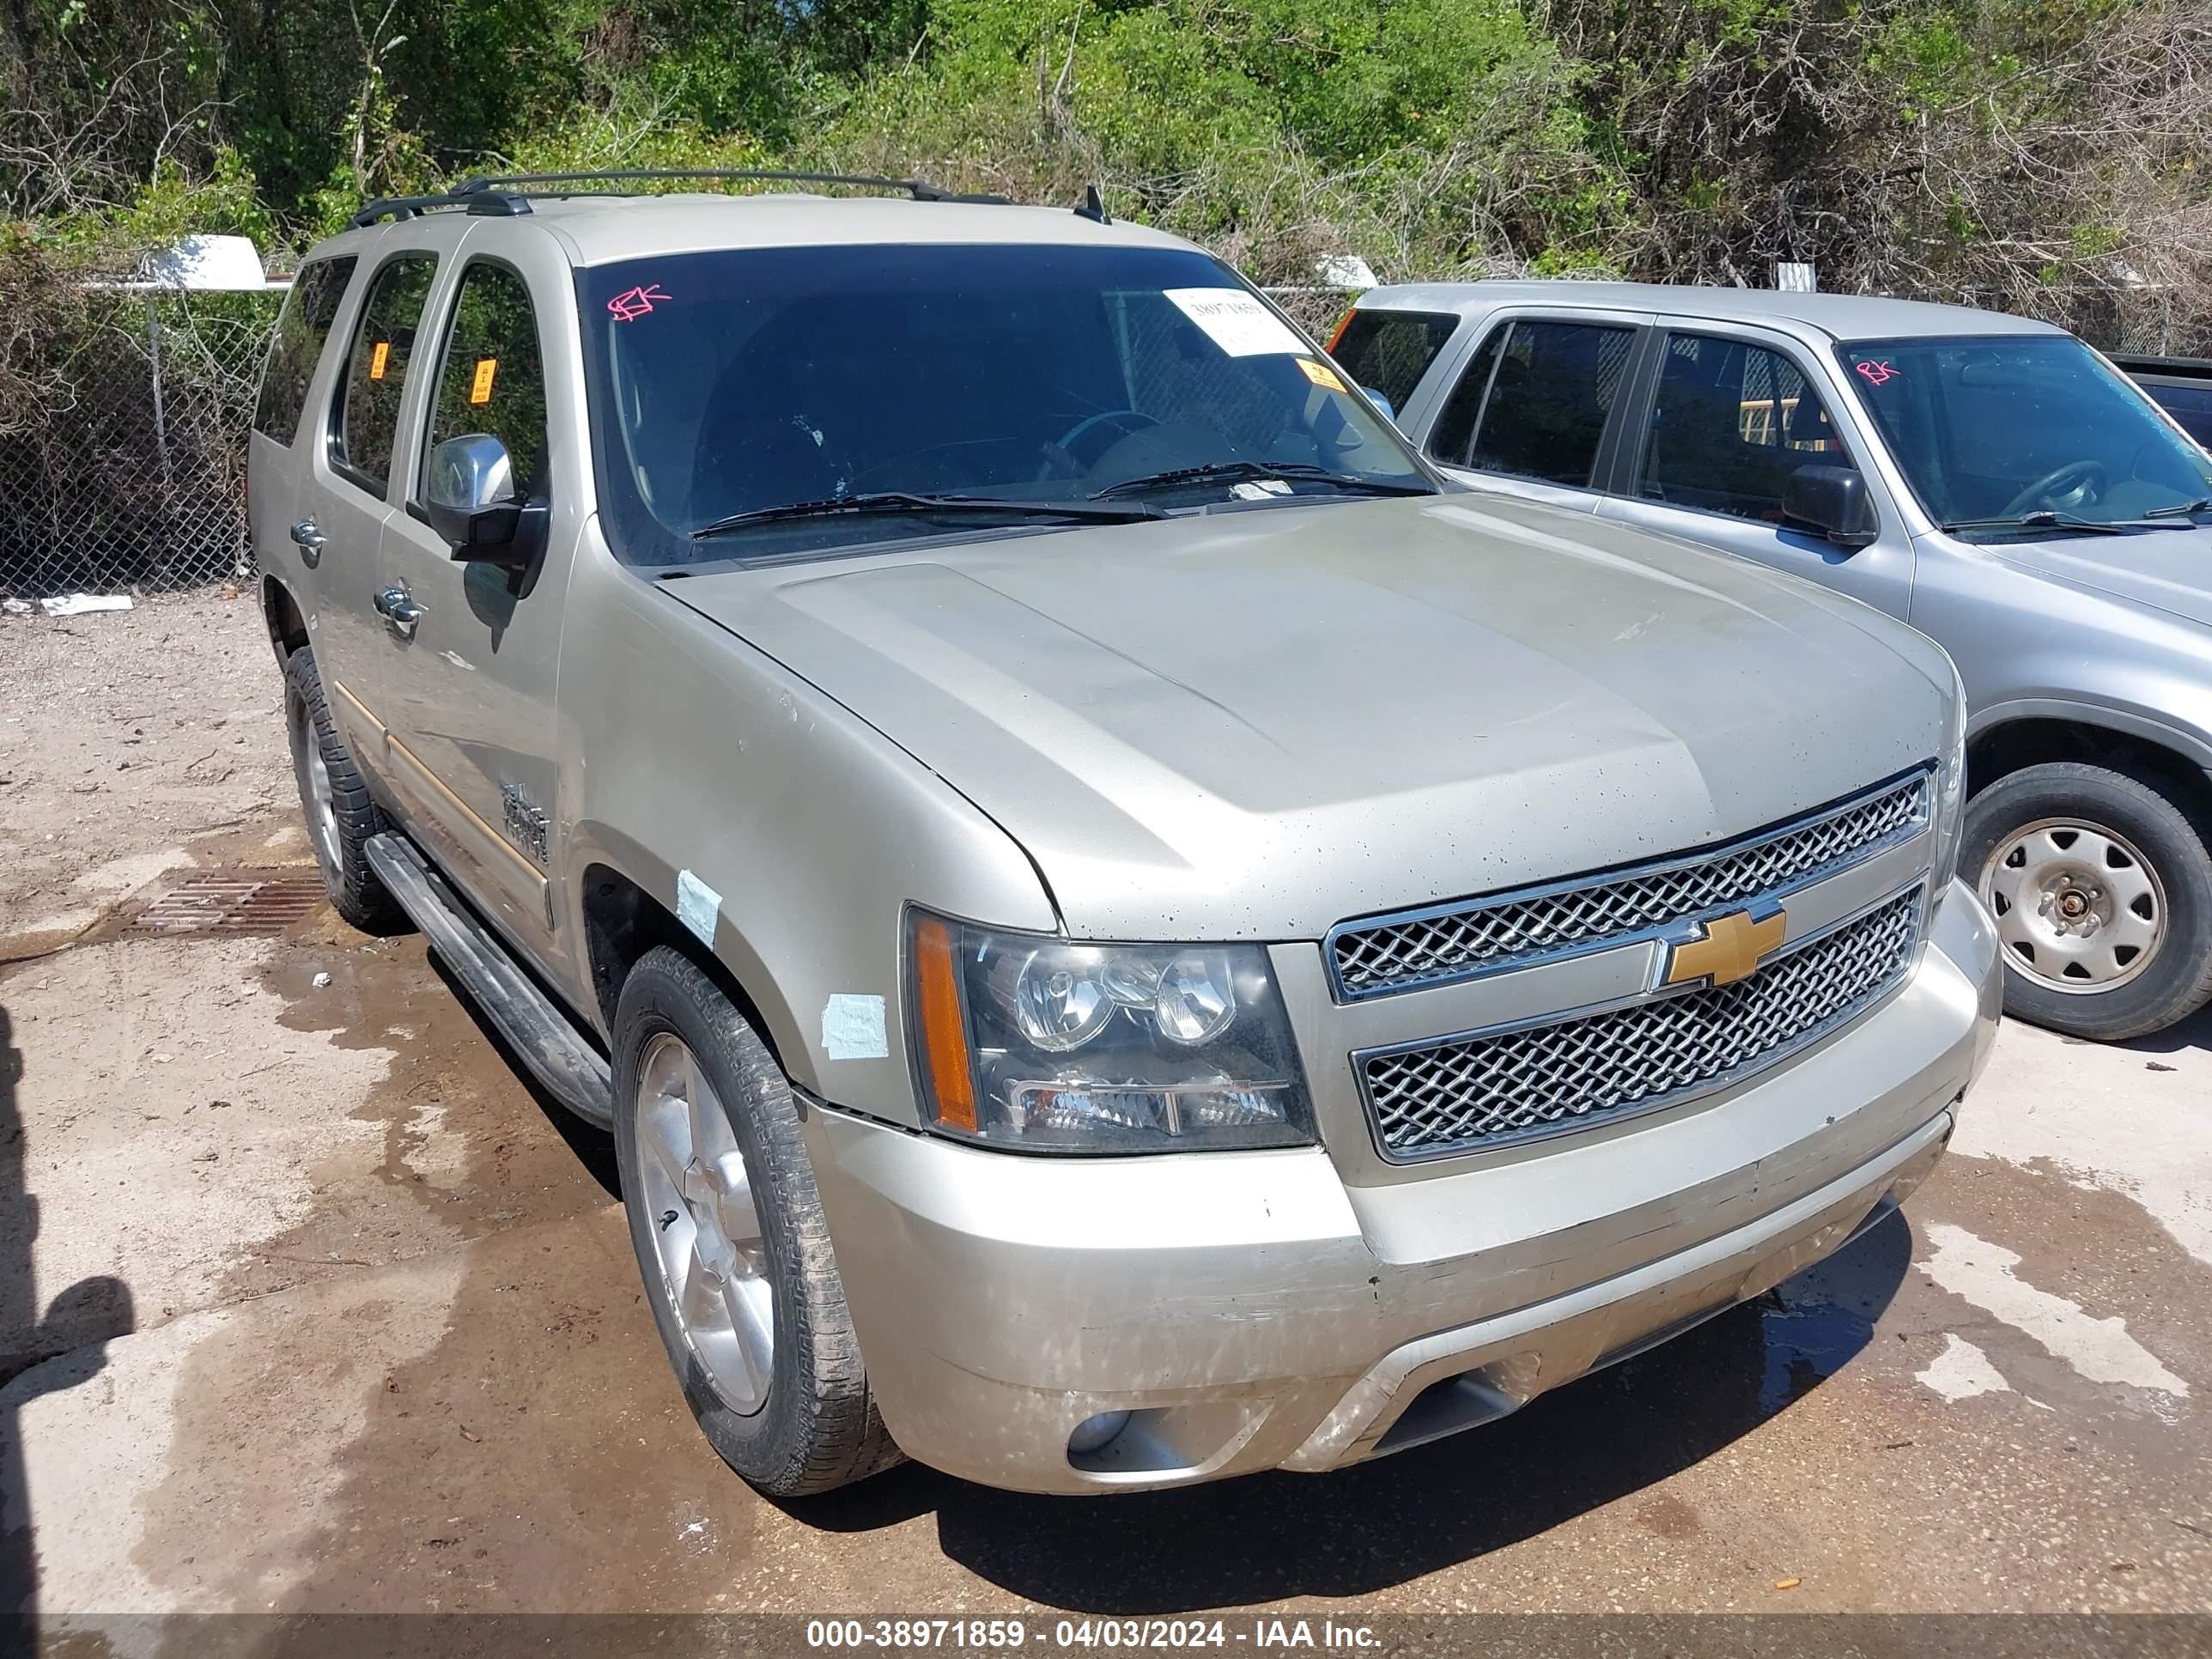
x=1125, y=930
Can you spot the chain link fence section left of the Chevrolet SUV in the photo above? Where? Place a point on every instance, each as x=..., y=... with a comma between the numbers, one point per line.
x=123, y=455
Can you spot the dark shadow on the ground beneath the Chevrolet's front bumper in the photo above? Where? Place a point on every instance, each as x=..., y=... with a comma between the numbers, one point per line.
x=1379, y=1525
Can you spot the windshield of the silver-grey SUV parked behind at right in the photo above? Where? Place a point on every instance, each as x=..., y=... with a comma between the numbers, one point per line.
x=2005, y=428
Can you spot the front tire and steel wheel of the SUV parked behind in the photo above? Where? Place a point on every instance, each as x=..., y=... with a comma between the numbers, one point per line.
x=2103, y=888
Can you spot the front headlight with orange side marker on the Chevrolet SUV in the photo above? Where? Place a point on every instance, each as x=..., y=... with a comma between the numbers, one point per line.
x=1052, y=1047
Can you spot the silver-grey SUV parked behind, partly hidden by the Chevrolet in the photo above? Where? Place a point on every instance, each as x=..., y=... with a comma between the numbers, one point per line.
x=1987, y=479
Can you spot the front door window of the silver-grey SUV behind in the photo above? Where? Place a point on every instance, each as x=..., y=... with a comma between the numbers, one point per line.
x=1729, y=426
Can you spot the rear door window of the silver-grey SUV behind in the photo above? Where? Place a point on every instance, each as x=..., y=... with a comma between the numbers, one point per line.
x=1536, y=401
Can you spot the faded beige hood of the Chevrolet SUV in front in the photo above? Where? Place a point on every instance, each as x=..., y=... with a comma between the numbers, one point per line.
x=1255, y=724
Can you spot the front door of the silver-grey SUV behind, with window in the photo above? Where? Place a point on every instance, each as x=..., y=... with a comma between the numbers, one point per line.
x=1722, y=421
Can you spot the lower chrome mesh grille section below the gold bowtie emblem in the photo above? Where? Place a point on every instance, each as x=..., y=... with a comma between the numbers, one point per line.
x=1479, y=1092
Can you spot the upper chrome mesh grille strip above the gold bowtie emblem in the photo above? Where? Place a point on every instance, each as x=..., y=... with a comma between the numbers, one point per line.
x=1490, y=935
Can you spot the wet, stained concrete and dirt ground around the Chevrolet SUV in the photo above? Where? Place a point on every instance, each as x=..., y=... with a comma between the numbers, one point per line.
x=311, y=1304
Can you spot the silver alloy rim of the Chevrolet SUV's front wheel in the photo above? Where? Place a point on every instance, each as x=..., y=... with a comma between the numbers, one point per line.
x=707, y=1229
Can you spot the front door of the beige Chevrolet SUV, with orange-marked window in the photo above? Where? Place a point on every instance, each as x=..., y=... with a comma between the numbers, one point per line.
x=470, y=680
